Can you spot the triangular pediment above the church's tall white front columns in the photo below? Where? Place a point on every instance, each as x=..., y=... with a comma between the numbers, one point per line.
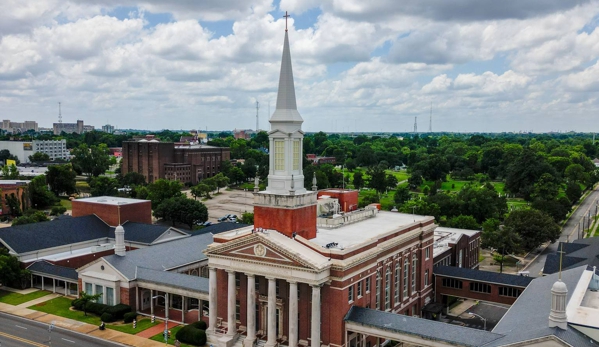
x=255, y=248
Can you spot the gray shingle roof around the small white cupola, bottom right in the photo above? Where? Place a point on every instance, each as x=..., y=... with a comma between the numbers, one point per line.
x=528, y=317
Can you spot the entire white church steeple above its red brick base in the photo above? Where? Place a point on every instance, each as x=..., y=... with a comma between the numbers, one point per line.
x=286, y=136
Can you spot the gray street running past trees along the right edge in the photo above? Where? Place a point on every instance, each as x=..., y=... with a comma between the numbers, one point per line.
x=569, y=232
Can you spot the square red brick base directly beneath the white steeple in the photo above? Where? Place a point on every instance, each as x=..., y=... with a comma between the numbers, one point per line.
x=301, y=220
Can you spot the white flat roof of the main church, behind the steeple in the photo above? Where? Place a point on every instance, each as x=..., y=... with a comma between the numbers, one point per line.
x=357, y=233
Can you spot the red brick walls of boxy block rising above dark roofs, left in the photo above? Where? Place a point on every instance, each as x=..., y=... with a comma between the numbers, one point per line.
x=140, y=212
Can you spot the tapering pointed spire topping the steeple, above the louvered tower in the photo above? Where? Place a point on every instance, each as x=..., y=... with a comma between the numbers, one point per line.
x=286, y=110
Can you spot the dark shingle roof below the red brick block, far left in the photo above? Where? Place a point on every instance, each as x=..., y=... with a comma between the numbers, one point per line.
x=65, y=231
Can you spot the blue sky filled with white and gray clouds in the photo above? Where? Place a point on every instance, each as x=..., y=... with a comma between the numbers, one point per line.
x=377, y=65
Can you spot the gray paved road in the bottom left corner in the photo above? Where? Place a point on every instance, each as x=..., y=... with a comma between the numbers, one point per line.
x=19, y=332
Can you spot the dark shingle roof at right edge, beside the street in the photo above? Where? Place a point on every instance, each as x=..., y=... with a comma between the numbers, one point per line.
x=577, y=253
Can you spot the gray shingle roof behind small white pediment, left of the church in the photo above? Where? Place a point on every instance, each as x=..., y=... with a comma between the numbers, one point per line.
x=163, y=256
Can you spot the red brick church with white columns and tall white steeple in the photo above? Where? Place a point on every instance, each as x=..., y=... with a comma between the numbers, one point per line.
x=292, y=277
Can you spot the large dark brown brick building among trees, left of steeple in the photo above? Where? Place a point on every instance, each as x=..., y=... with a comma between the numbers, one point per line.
x=185, y=162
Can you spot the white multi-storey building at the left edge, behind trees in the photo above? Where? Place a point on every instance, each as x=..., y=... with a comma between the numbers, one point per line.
x=55, y=149
